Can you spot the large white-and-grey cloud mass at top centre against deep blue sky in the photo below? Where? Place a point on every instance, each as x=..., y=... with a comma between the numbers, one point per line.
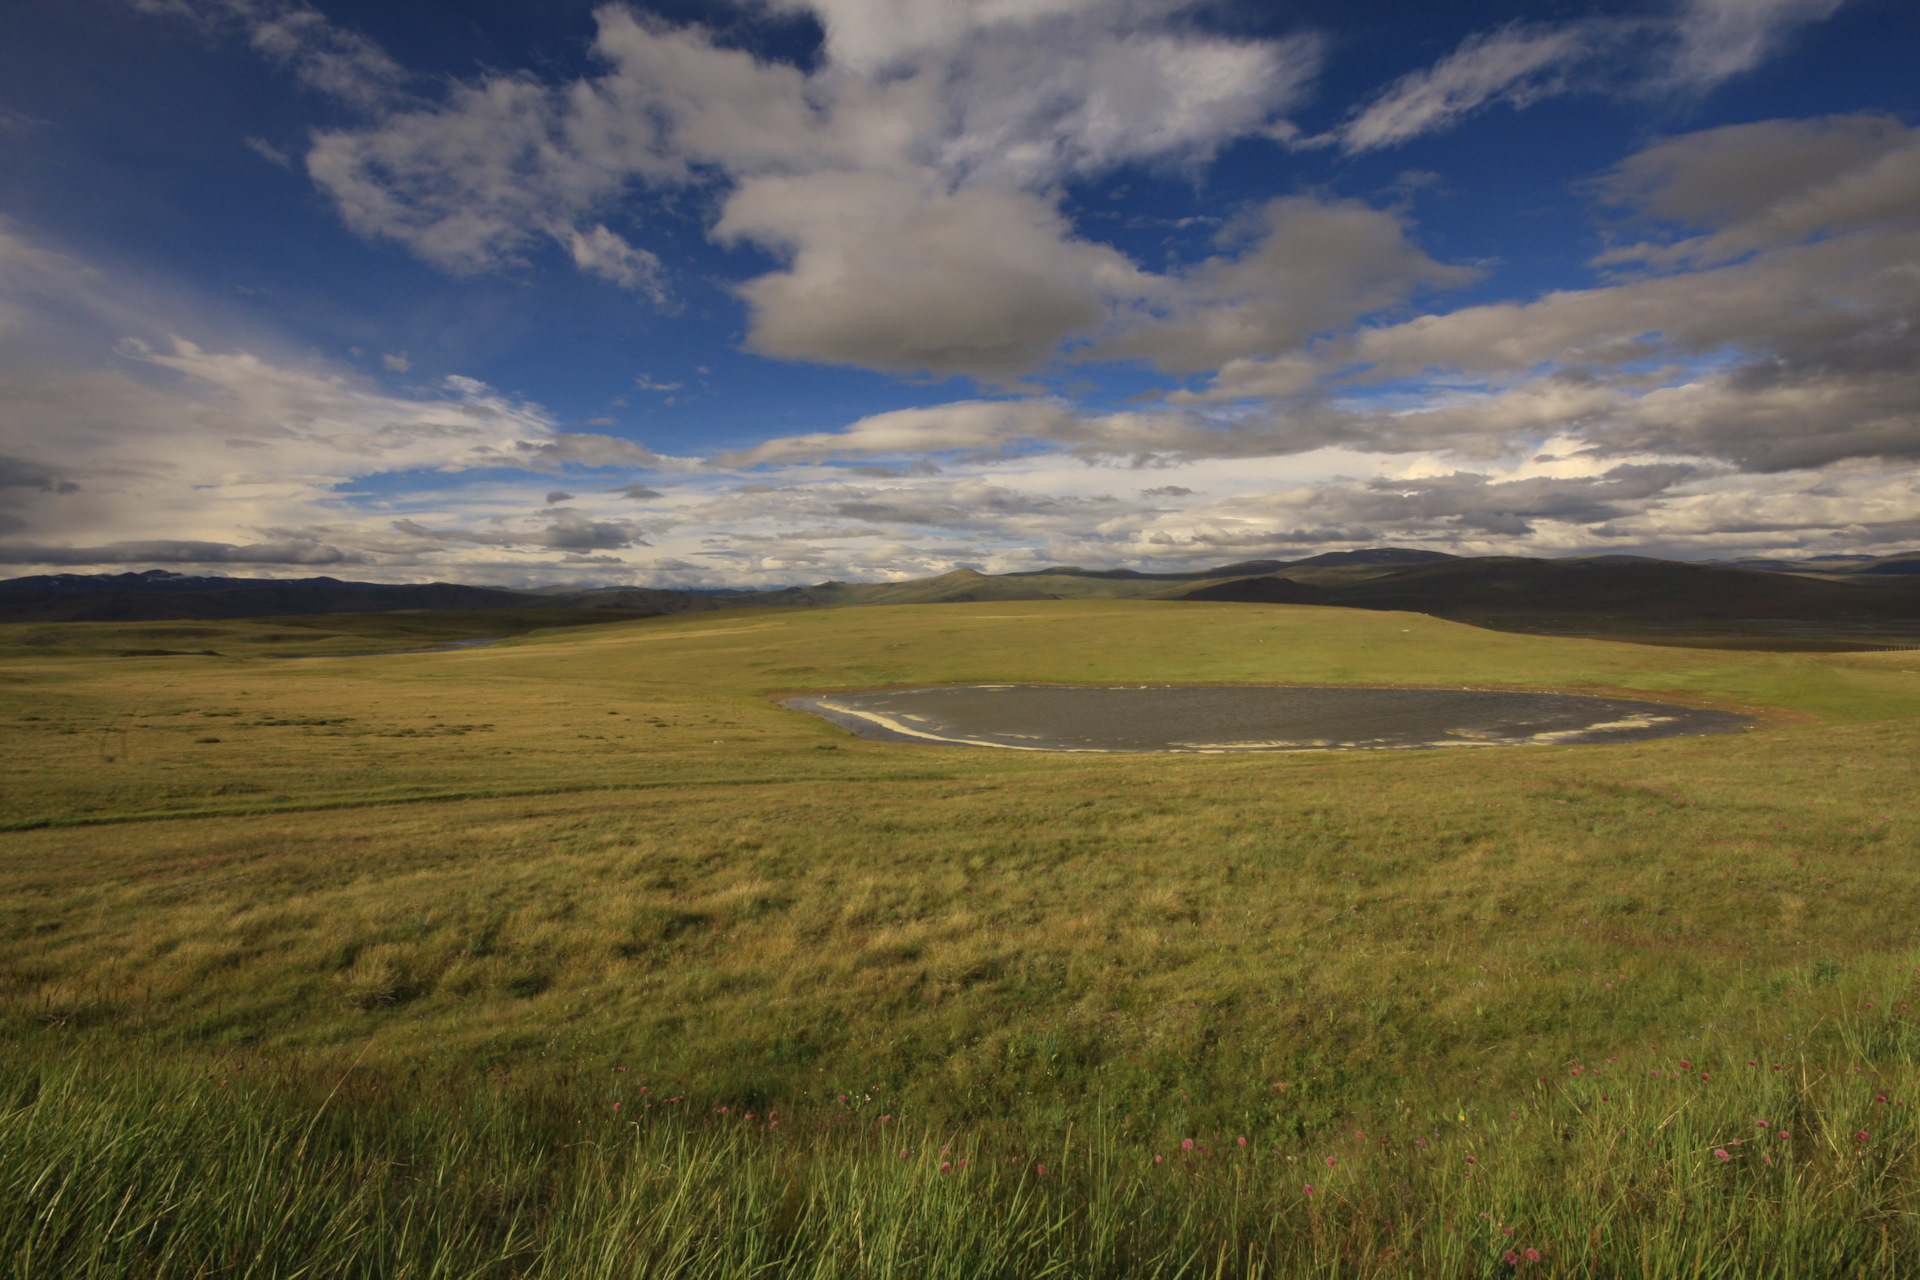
x=909, y=179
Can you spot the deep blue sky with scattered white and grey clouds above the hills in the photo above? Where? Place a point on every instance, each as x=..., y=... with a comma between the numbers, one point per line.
x=704, y=295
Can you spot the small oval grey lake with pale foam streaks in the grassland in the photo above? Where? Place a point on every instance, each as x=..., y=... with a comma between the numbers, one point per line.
x=1199, y=719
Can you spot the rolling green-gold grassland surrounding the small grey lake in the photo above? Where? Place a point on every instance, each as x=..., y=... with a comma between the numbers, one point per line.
x=350, y=960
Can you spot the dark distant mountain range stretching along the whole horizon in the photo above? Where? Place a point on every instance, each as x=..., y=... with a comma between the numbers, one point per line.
x=1608, y=594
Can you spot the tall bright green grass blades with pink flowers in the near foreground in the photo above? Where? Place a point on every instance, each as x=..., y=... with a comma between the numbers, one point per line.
x=158, y=1168
